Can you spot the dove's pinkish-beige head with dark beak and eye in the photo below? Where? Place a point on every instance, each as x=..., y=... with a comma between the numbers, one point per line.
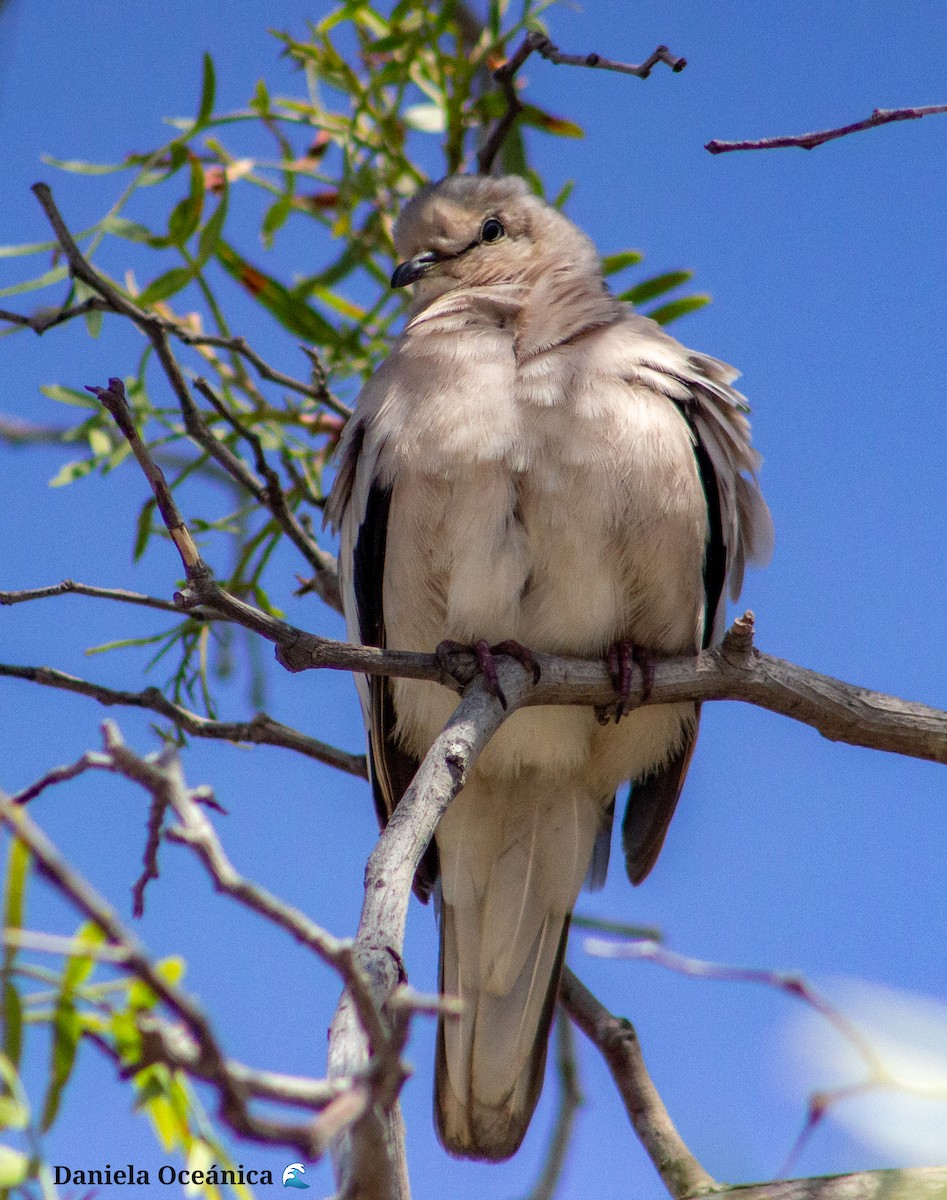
x=482, y=231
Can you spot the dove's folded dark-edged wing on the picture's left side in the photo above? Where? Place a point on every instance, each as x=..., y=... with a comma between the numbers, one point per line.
x=359, y=508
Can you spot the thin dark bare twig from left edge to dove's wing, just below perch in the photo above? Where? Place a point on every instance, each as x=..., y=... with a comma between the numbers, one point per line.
x=261, y=730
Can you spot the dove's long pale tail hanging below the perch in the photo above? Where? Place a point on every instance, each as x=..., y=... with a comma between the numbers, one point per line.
x=513, y=863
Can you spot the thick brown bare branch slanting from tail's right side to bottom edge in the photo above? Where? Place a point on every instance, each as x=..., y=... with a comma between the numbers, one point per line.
x=616, y=1039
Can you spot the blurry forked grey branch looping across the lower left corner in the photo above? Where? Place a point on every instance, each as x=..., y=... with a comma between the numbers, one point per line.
x=343, y=1102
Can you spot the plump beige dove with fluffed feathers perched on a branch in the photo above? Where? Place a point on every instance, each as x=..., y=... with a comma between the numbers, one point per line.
x=534, y=467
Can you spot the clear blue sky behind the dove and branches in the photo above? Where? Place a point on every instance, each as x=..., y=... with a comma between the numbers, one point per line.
x=788, y=851
